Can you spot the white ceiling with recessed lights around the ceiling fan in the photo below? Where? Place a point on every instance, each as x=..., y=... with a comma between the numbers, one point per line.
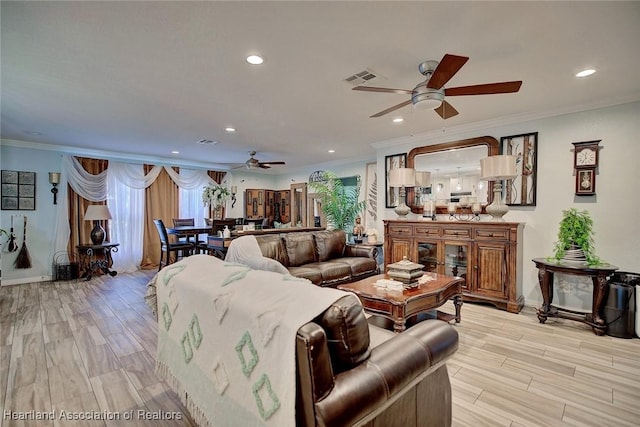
x=141, y=79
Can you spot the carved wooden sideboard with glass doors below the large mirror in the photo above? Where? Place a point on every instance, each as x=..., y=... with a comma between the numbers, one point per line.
x=488, y=255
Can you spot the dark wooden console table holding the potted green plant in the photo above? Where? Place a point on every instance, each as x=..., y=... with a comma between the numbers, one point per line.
x=598, y=275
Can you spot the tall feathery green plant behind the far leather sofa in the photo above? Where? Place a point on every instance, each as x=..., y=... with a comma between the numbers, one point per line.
x=340, y=205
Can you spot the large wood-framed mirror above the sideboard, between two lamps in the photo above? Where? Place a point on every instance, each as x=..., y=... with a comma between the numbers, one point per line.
x=455, y=172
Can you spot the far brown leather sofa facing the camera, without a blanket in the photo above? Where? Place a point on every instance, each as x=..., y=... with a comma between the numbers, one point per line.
x=323, y=257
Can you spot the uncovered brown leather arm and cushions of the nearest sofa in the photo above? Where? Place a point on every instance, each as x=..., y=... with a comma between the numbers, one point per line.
x=351, y=373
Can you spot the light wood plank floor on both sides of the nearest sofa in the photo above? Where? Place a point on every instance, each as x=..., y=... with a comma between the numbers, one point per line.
x=88, y=348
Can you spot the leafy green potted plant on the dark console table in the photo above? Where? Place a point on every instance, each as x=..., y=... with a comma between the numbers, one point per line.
x=574, y=235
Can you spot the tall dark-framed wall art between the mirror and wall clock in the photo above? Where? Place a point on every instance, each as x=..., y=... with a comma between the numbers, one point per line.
x=521, y=191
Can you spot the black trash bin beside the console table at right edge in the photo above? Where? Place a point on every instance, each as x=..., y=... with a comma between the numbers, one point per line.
x=620, y=306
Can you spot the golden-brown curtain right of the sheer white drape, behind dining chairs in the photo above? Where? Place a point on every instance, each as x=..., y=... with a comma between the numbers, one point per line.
x=161, y=202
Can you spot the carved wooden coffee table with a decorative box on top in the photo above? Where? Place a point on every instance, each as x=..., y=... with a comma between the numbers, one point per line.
x=401, y=305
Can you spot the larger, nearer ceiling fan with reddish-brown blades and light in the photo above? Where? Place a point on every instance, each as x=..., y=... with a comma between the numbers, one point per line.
x=431, y=92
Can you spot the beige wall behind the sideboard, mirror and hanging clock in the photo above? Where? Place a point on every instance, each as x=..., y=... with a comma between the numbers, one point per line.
x=614, y=209
